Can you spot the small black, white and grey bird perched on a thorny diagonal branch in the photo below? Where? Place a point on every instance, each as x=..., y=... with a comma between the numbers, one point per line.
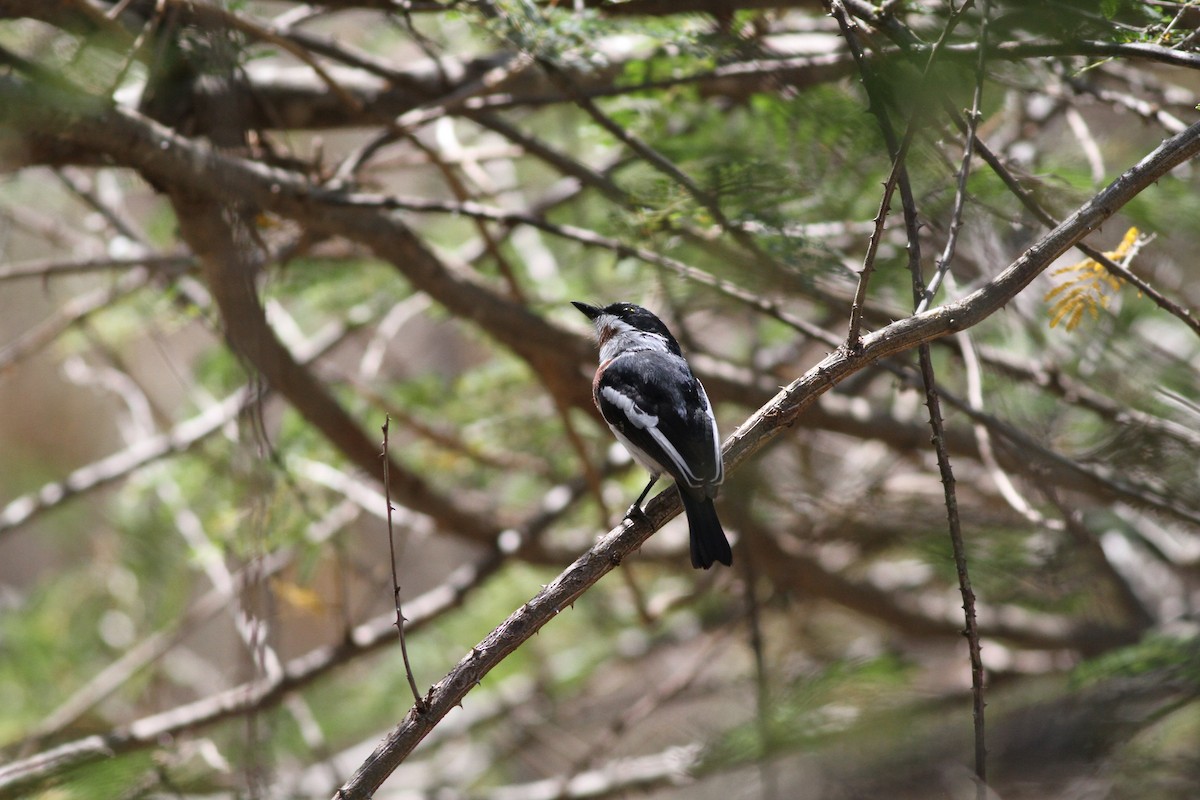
x=658, y=410
